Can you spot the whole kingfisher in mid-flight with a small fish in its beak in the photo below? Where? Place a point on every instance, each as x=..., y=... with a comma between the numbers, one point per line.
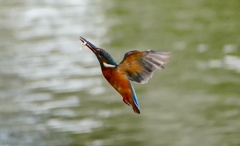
x=136, y=66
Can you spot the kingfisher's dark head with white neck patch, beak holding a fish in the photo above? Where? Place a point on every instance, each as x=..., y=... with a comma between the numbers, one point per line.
x=103, y=57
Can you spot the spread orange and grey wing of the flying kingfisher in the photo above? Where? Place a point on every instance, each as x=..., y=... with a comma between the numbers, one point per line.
x=139, y=66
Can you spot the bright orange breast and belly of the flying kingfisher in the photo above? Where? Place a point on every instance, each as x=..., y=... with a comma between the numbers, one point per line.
x=118, y=81
